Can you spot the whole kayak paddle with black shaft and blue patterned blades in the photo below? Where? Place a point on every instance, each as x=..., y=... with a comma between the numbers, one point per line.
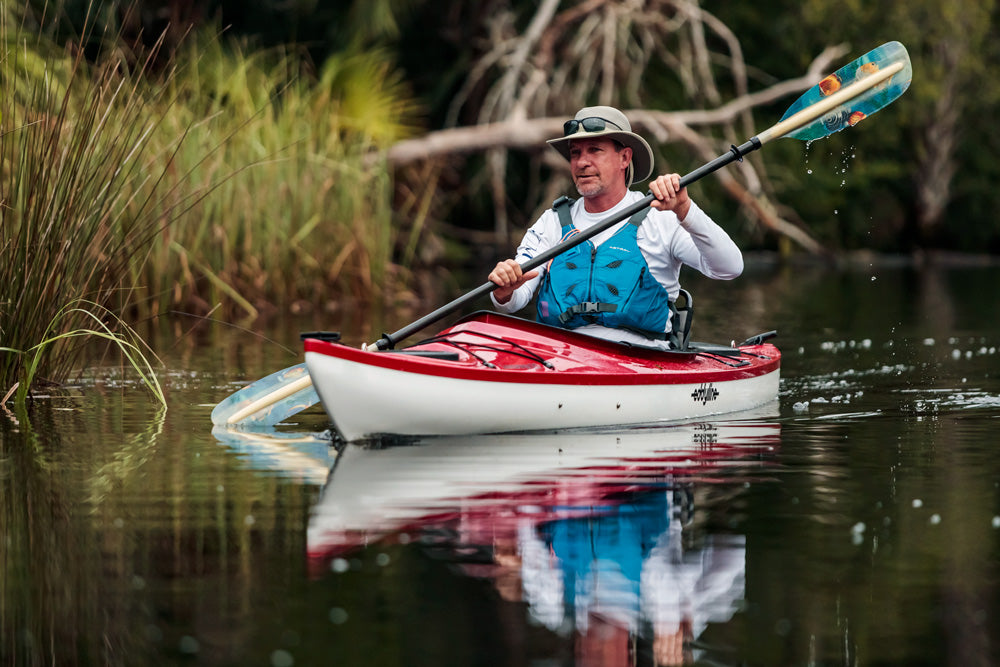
x=852, y=93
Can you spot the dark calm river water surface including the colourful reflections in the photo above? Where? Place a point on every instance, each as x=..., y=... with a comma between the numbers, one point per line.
x=857, y=521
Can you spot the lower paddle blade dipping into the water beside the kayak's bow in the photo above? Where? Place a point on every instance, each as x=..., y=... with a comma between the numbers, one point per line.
x=268, y=401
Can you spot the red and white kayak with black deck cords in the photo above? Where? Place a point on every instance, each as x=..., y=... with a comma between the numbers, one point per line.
x=495, y=373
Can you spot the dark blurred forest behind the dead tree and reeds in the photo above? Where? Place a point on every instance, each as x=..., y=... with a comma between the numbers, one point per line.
x=920, y=176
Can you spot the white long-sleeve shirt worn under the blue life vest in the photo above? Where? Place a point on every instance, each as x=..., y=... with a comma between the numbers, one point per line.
x=666, y=244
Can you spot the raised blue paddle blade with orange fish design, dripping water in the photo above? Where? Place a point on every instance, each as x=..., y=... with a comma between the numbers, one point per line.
x=860, y=107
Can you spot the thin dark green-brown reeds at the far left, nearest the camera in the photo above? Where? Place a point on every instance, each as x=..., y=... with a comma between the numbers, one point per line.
x=81, y=198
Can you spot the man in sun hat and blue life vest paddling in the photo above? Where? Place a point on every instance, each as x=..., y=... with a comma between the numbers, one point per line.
x=619, y=284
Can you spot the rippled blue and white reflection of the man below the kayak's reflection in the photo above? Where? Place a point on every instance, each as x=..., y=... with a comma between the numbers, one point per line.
x=617, y=574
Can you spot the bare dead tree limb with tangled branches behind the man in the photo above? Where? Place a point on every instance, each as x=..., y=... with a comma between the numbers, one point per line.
x=526, y=80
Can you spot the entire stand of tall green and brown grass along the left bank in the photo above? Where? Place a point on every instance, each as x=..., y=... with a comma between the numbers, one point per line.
x=221, y=179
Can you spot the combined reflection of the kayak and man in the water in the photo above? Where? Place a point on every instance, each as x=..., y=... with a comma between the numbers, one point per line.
x=596, y=532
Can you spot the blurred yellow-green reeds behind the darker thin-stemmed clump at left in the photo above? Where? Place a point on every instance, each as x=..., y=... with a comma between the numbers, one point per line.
x=299, y=211
